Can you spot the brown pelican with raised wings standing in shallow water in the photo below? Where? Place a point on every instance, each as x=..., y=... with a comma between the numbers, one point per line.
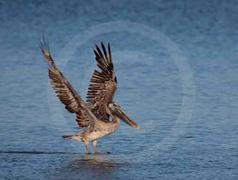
x=99, y=115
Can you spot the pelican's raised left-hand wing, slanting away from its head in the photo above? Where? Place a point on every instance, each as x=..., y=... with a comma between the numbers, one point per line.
x=66, y=93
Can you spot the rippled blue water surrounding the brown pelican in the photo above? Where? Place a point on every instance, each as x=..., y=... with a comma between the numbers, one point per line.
x=177, y=70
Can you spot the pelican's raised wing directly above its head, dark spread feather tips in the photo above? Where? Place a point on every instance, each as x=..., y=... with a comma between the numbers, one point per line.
x=103, y=83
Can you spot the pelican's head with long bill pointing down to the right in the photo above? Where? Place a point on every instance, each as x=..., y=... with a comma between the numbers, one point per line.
x=116, y=110
